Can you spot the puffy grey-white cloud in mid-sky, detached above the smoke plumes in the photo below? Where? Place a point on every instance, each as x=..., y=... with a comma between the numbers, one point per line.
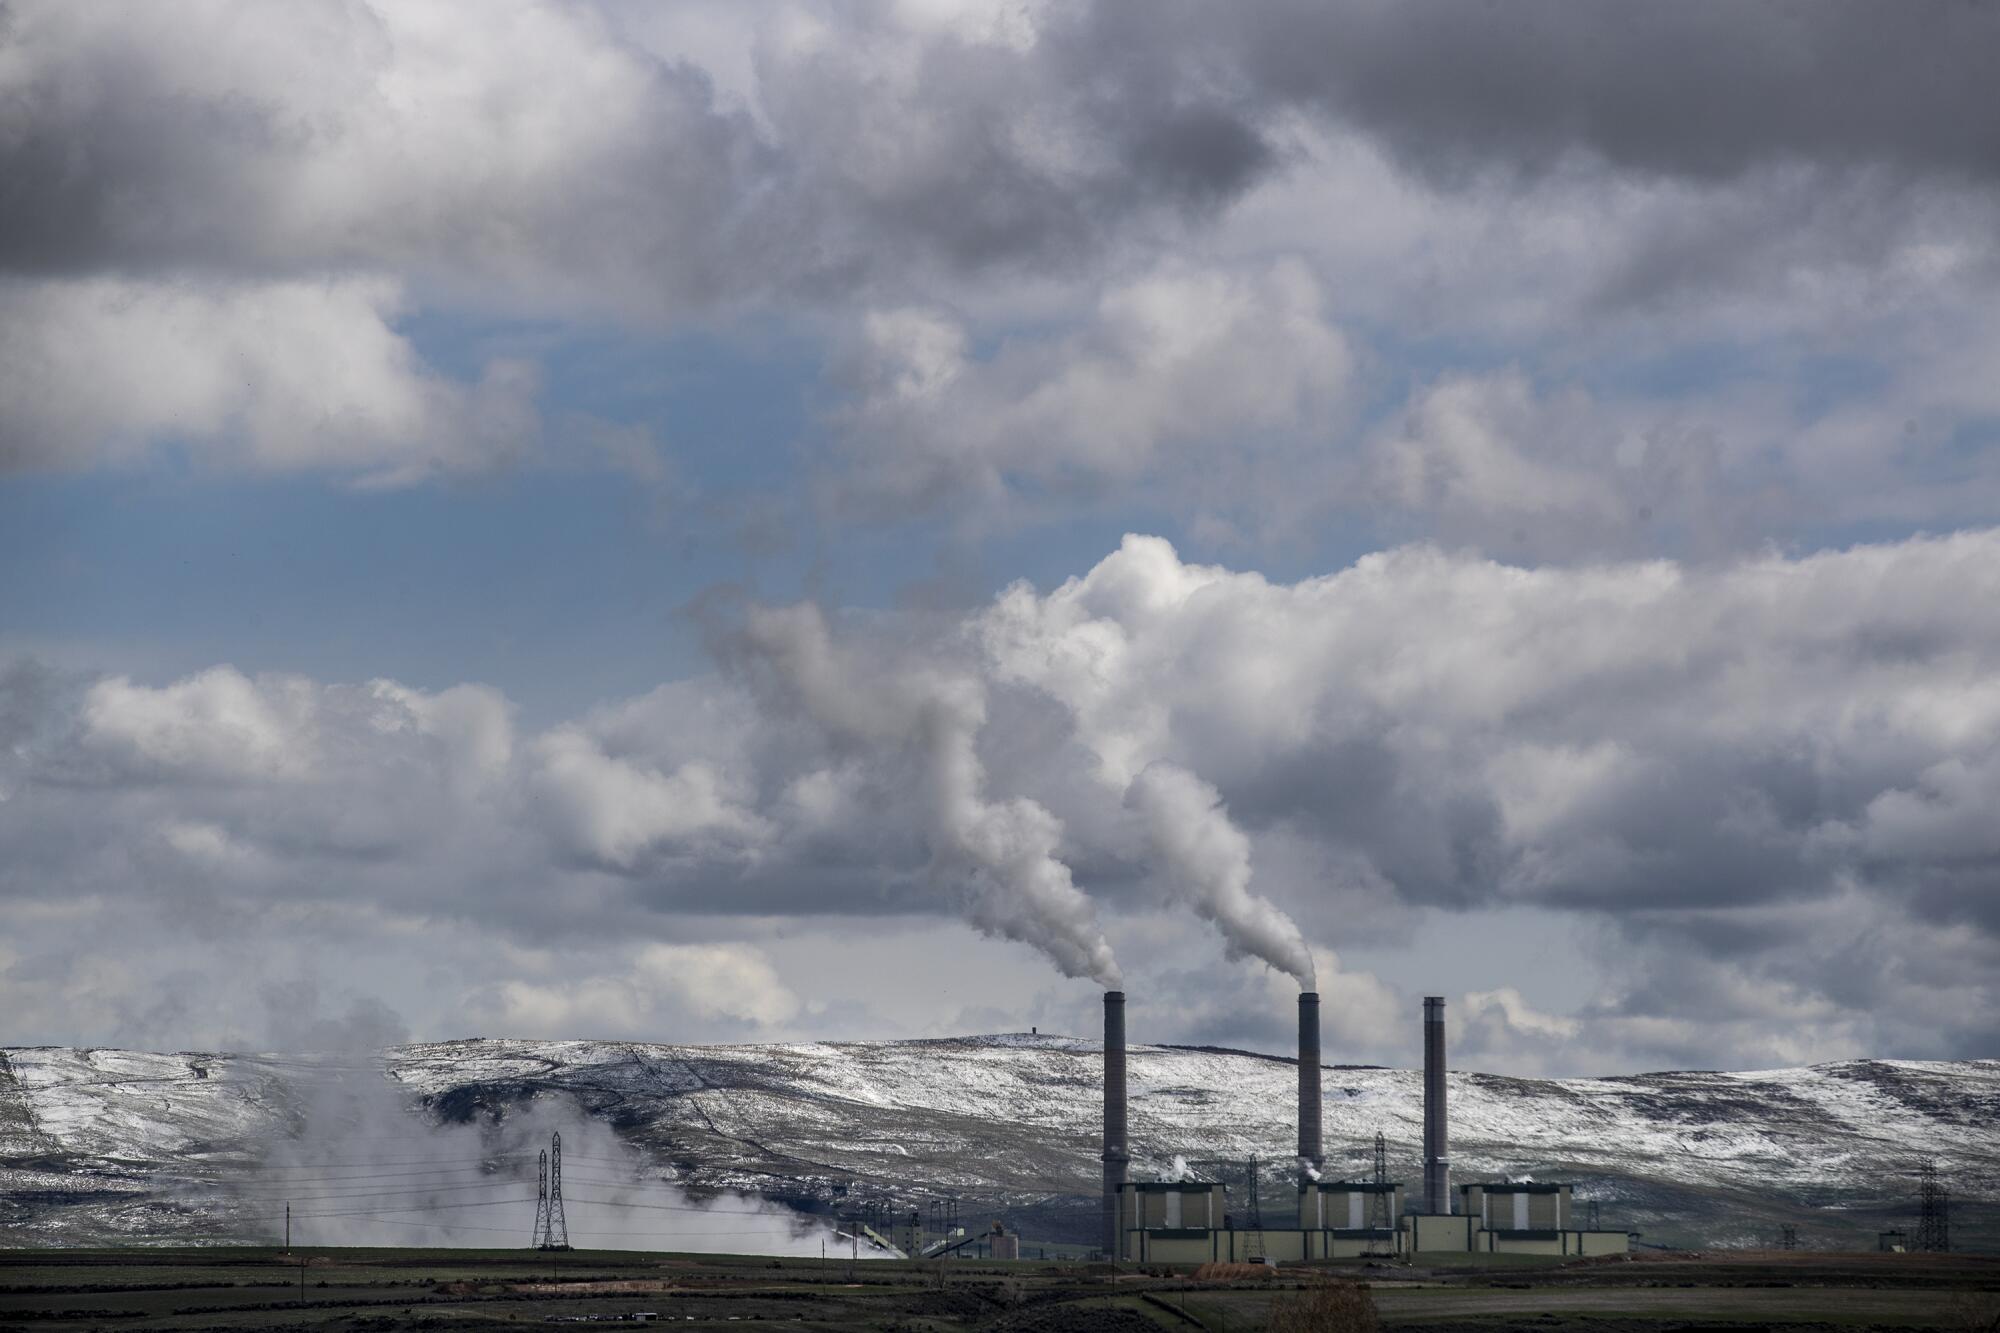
x=1177, y=373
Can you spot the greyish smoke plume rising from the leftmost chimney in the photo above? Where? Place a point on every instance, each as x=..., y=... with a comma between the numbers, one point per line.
x=1003, y=856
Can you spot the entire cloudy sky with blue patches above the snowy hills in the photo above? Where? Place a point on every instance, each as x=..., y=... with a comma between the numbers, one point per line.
x=737, y=521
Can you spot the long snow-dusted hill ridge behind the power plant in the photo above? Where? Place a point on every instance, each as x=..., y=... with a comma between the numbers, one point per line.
x=99, y=1144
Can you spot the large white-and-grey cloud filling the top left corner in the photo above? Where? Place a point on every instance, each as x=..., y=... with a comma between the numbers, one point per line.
x=263, y=143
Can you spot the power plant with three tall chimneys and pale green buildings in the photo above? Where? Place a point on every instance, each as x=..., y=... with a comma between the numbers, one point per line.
x=1191, y=1222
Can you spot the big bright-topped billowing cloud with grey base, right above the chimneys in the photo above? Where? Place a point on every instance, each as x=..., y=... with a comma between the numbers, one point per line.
x=1609, y=740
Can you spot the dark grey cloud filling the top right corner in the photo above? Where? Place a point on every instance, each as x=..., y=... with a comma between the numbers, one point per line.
x=1707, y=89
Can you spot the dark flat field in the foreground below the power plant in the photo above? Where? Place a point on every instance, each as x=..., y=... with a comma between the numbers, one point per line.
x=359, y=1290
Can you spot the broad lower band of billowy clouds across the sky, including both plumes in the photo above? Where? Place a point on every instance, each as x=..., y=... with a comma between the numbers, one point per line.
x=1773, y=766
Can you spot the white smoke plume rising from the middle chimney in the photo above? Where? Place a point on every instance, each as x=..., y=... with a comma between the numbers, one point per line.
x=1209, y=862
